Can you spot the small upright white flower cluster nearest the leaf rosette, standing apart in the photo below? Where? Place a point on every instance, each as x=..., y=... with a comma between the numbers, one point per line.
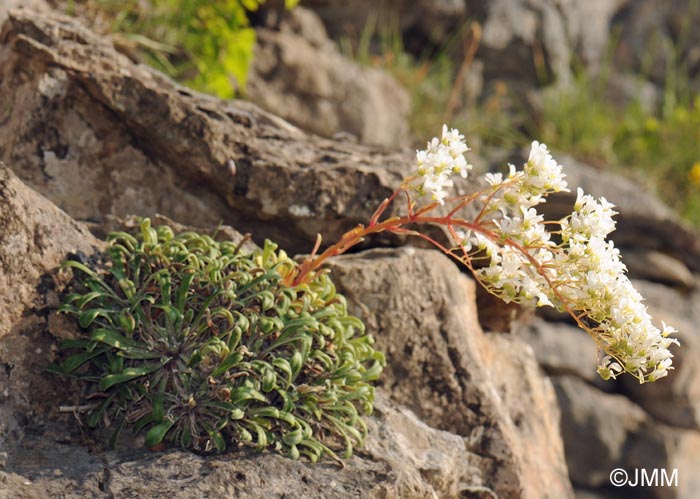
x=439, y=161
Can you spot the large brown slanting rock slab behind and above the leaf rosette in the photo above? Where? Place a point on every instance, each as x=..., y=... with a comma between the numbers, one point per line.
x=99, y=135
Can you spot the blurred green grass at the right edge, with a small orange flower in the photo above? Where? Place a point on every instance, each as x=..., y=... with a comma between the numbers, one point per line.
x=659, y=145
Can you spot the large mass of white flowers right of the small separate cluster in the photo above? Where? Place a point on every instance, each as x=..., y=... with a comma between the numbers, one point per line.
x=582, y=273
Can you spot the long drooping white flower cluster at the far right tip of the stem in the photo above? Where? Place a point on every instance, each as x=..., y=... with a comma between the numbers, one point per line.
x=596, y=285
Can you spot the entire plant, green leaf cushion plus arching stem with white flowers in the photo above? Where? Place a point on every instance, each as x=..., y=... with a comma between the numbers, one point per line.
x=199, y=344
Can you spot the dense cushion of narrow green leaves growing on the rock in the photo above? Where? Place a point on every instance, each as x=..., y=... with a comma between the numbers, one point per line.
x=199, y=345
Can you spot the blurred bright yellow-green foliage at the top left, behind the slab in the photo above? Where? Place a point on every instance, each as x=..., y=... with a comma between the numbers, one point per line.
x=206, y=45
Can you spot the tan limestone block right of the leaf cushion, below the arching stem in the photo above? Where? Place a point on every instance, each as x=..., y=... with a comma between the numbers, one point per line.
x=487, y=388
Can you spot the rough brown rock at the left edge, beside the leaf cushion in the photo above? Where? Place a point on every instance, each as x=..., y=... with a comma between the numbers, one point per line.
x=31, y=249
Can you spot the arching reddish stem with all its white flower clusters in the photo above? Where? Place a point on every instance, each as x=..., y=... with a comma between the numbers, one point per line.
x=568, y=264
